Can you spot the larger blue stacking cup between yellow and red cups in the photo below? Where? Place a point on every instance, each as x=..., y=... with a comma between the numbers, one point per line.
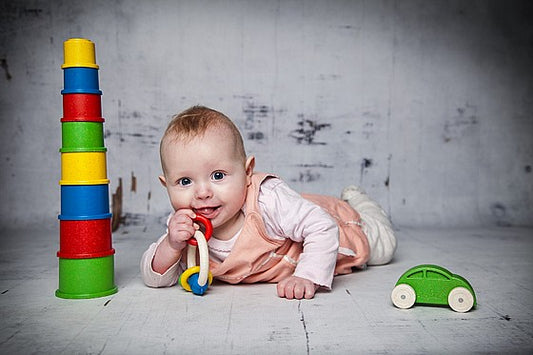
x=84, y=202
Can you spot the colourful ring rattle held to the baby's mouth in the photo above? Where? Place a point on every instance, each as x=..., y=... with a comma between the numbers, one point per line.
x=196, y=279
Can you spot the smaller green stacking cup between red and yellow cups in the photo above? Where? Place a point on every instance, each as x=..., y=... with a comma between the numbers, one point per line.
x=82, y=137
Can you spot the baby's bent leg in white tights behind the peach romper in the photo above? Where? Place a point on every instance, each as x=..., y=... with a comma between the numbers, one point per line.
x=376, y=225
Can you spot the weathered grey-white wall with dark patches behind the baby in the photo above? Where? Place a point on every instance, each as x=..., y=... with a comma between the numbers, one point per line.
x=425, y=104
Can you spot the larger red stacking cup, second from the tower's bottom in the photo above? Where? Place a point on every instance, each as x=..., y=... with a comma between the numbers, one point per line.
x=85, y=239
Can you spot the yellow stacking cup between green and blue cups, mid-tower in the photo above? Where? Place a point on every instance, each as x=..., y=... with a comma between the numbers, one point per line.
x=83, y=168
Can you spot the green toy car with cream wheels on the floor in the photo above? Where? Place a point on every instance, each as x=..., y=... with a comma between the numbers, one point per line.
x=433, y=285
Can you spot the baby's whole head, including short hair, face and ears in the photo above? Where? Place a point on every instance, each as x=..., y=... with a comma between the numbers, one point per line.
x=204, y=163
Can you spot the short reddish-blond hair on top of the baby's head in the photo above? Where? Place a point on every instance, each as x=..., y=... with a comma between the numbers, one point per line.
x=195, y=121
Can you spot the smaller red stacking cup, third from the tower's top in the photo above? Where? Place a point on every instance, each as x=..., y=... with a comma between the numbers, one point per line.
x=82, y=107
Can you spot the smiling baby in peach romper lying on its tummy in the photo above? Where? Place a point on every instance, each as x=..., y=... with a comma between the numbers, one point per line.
x=263, y=231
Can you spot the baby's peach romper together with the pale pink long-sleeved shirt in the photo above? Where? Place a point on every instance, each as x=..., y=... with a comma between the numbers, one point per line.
x=283, y=235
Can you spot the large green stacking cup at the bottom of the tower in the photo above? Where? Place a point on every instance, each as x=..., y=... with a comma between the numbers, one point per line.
x=86, y=278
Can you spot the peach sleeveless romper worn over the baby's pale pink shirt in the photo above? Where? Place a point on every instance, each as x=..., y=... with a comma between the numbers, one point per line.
x=256, y=257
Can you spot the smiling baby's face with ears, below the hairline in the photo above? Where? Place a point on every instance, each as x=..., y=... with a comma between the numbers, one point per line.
x=206, y=175
